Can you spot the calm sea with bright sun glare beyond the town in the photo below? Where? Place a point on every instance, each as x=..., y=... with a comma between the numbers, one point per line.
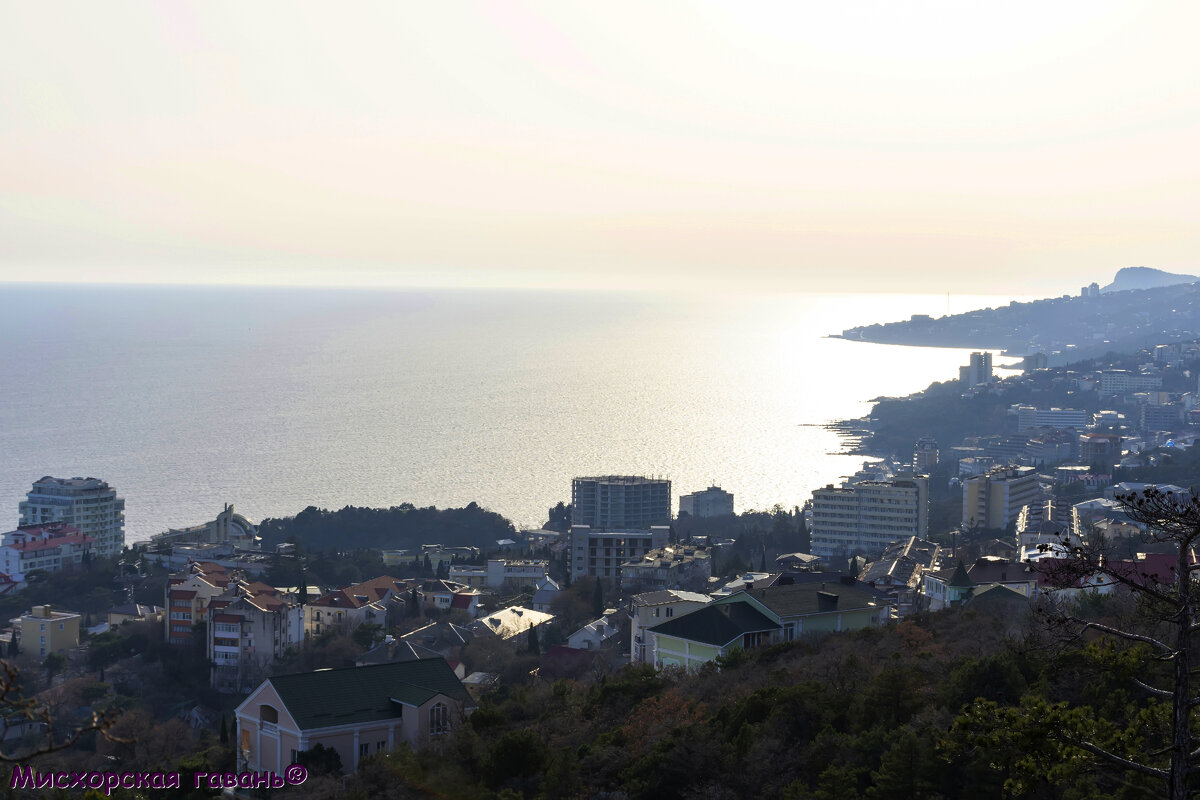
x=275, y=400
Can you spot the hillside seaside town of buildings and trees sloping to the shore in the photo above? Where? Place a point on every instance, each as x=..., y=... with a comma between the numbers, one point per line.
x=931, y=627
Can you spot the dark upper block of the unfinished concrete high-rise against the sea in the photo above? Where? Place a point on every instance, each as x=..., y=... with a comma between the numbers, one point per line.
x=621, y=502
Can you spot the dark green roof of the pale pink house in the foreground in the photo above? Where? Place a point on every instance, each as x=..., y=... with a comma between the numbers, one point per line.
x=356, y=695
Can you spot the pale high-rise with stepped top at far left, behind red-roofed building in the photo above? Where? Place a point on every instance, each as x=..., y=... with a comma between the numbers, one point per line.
x=87, y=503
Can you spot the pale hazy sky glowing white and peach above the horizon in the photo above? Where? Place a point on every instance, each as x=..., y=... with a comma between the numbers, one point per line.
x=902, y=146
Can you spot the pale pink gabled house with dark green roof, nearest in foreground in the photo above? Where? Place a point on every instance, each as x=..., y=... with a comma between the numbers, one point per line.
x=357, y=712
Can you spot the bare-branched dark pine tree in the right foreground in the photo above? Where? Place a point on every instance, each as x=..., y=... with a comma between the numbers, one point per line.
x=1173, y=604
